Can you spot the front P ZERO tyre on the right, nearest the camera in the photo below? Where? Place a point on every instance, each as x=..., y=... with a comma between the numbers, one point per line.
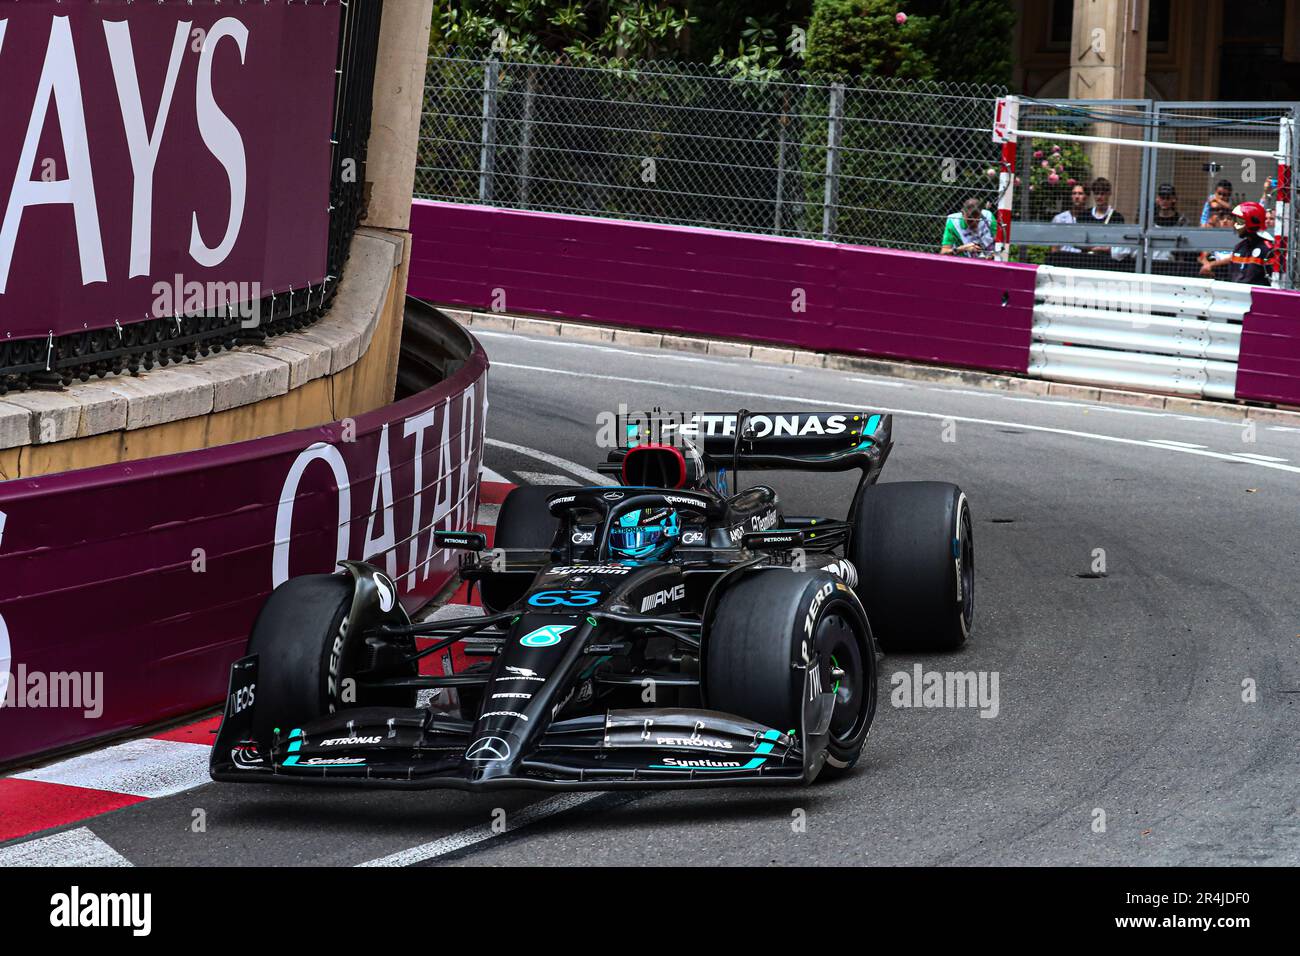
x=756, y=642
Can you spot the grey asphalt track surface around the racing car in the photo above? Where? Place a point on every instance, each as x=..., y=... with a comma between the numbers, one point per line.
x=1136, y=600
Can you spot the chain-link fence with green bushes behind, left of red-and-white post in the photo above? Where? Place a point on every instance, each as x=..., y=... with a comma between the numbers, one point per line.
x=873, y=162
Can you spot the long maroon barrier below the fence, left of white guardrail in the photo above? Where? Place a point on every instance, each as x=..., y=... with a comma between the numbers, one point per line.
x=699, y=282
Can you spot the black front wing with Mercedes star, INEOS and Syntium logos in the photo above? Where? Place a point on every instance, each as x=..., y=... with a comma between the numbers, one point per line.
x=410, y=749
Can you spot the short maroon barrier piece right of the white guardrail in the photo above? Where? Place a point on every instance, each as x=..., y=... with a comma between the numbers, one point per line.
x=1269, y=366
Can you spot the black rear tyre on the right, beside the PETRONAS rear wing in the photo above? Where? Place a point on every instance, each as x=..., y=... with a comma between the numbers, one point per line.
x=913, y=550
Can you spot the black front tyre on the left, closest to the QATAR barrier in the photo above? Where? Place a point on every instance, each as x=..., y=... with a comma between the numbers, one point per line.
x=307, y=652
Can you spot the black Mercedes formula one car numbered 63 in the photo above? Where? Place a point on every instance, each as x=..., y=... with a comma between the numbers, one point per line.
x=666, y=631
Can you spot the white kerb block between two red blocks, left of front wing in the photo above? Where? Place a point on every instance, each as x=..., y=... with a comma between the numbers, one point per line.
x=146, y=768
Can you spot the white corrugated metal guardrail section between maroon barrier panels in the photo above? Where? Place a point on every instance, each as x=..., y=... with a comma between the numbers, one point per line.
x=1145, y=332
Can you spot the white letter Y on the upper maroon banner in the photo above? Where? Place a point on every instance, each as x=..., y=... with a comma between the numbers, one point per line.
x=144, y=145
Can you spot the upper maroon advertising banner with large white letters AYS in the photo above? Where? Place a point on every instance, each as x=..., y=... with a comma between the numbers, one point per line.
x=161, y=158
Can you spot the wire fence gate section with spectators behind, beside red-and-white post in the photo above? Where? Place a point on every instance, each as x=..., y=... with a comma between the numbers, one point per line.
x=1136, y=209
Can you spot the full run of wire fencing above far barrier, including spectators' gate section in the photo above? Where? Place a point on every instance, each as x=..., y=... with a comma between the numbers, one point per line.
x=873, y=162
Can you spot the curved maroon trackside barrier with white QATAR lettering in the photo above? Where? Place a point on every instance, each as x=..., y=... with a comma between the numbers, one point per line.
x=146, y=577
